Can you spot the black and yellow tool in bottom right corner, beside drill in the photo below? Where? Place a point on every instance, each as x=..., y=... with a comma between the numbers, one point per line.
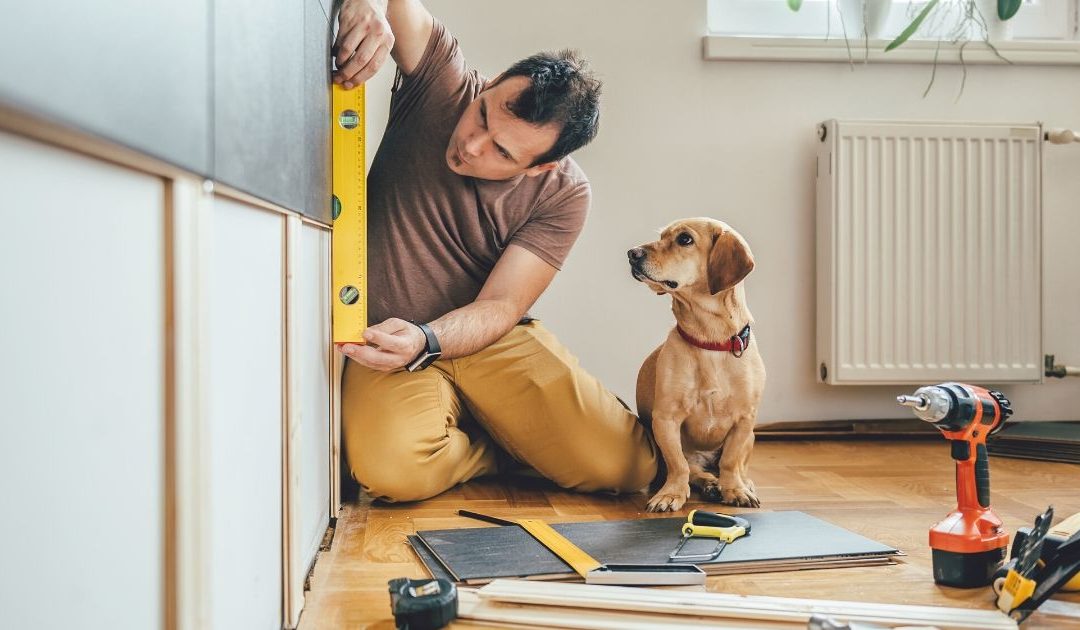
x=1043, y=565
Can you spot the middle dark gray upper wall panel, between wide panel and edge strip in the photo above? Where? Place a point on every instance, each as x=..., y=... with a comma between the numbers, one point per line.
x=259, y=101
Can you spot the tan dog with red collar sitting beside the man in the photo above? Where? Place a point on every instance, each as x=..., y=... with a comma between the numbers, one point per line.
x=701, y=387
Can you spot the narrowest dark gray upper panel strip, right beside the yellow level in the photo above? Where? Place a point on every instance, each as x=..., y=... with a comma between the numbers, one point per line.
x=317, y=112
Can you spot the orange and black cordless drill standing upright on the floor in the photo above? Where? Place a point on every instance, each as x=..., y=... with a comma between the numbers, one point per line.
x=969, y=545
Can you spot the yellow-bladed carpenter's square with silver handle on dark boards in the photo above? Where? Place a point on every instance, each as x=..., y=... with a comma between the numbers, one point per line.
x=593, y=571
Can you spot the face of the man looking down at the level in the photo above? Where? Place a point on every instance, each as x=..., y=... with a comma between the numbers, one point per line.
x=491, y=143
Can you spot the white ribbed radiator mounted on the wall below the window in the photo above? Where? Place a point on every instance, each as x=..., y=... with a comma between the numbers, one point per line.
x=929, y=253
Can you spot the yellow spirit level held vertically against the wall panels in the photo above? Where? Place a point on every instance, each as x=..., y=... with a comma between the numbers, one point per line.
x=349, y=212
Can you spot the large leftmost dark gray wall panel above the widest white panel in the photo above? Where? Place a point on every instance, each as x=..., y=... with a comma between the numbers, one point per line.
x=134, y=72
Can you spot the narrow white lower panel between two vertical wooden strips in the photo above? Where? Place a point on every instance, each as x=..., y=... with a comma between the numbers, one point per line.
x=246, y=332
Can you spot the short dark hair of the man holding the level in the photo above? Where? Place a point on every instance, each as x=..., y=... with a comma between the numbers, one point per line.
x=562, y=90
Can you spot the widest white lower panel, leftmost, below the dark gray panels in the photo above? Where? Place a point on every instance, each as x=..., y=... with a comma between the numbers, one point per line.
x=83, y=294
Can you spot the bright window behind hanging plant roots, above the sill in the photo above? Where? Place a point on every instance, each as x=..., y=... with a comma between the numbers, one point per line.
x=1054, y=20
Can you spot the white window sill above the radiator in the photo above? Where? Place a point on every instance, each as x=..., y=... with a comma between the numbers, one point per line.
x=809, y=49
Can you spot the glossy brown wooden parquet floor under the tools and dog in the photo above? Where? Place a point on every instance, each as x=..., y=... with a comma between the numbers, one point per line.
x=892, y=492
